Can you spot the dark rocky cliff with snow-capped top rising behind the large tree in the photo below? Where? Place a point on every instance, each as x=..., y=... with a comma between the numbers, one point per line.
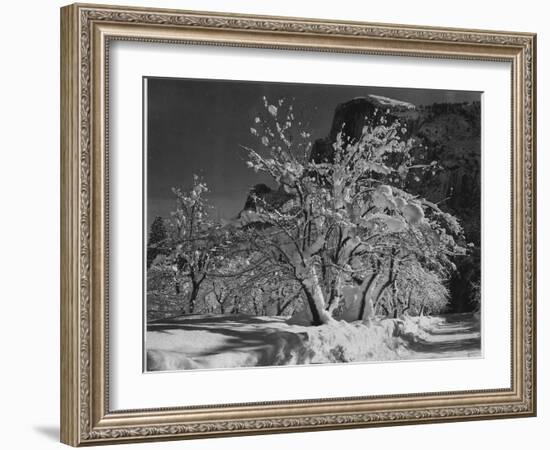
x=451, y=132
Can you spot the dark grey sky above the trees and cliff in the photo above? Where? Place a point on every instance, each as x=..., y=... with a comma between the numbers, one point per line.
x=196, y=126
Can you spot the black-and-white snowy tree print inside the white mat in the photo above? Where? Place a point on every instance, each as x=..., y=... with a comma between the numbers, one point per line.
x=289, y=224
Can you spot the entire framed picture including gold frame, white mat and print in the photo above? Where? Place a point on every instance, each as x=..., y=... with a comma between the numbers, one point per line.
x=273, y=224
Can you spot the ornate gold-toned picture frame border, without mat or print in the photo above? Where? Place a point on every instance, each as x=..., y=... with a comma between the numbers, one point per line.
x=86, y=31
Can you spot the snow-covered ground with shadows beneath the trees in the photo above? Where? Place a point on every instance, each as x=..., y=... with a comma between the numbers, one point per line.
x=215, y=341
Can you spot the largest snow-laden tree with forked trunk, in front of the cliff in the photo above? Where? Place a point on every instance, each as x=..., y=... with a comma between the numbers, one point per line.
x=348, y=221
